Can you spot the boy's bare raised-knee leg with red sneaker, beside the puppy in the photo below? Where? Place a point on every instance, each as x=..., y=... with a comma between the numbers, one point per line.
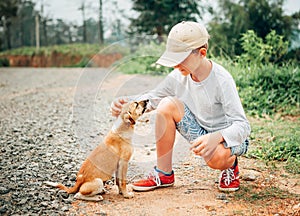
x=169, y=111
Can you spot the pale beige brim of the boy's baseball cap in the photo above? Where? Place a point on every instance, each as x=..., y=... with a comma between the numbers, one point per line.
x=171, y=59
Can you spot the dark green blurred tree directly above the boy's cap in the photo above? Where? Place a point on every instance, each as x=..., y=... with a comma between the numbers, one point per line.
x=156, y=17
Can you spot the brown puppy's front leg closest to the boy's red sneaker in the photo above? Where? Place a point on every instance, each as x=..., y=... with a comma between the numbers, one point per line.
x=121, y=179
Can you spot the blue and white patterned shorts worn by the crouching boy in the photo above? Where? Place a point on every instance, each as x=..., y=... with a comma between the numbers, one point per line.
x=190, y=129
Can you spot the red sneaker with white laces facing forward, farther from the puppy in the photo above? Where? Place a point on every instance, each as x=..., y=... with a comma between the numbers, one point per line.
x=229, y=179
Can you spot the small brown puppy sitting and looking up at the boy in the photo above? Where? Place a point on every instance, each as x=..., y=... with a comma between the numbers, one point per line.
x=109, y=157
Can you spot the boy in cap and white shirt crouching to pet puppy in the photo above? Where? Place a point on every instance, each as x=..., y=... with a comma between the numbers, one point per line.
x=199, y=99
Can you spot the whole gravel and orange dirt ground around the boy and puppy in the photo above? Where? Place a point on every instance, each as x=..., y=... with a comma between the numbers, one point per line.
x=52, y=118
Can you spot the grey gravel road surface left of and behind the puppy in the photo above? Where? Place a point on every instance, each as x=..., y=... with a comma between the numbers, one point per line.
x=49, y=120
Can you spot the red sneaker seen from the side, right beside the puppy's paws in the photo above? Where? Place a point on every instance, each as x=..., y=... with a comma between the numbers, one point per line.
x=155, y=180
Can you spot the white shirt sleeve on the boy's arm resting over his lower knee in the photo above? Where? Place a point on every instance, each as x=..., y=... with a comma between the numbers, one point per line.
x=239, y=128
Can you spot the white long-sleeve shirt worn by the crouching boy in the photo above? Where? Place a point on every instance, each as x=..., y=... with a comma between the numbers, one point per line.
x=214, y=101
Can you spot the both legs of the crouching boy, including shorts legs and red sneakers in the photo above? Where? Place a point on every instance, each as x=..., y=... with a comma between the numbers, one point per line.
x=172, y=114
